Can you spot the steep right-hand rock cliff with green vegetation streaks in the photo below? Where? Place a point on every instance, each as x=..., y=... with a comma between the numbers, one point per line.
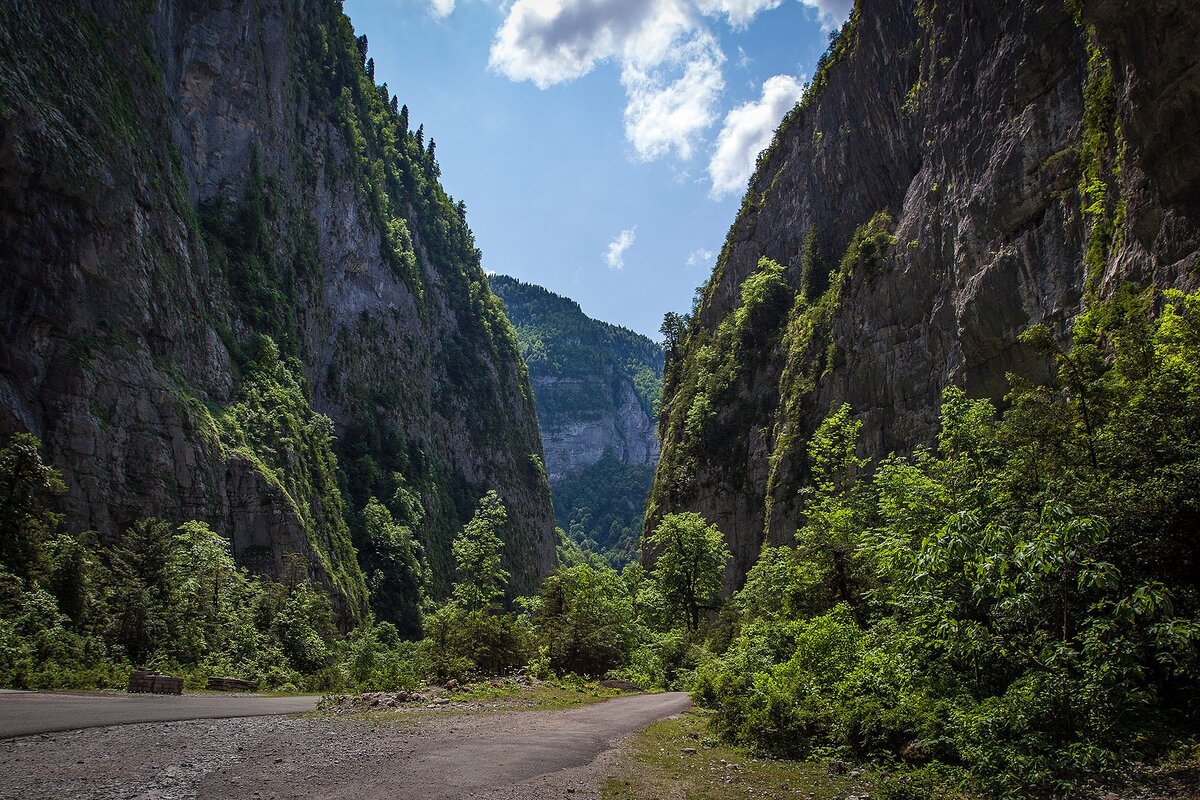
x=956, y=173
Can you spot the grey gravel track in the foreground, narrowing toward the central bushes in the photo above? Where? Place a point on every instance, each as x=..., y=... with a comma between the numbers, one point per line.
x=439, y=756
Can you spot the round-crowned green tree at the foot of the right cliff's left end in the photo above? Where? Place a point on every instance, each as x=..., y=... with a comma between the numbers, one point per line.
x=691, y=560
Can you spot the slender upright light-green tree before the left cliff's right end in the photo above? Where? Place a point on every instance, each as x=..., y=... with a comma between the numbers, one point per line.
x=477, y=555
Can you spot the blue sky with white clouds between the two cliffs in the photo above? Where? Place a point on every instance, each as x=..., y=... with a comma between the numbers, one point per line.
x=602, y=147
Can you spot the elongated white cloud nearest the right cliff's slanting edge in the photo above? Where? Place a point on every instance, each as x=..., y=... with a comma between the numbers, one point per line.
x=747, y=131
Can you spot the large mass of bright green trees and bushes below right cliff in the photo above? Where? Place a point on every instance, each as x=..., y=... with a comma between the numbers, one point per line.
x=1024, y=604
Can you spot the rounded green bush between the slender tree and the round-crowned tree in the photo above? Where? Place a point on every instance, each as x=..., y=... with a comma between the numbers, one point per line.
x=586, y=621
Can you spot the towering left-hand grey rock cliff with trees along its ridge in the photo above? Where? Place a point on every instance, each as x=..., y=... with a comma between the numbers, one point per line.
x=236, y=291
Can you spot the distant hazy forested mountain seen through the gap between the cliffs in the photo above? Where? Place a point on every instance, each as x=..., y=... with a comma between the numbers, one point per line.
x=597, y=389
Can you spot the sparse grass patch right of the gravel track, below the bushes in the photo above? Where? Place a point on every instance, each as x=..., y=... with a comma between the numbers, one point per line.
x=680, y=760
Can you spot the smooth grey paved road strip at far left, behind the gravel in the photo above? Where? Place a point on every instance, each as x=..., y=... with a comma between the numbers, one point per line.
x=28, y=713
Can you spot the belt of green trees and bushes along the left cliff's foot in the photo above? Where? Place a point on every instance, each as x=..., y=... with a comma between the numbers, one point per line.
x=76, y=613
